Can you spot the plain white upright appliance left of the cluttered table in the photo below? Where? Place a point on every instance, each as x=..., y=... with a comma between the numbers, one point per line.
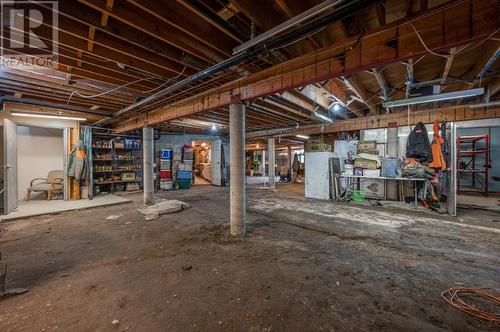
x=317, y=175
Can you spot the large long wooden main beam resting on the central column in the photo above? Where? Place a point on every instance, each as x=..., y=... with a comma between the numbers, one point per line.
x=395, y=42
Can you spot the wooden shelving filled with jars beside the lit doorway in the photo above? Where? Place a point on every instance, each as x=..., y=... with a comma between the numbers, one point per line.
x=116, y=163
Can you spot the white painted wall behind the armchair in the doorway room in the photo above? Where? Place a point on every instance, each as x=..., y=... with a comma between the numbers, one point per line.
x=39, y=151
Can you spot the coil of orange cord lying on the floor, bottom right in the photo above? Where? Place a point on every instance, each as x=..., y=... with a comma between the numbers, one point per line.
x=457, y=298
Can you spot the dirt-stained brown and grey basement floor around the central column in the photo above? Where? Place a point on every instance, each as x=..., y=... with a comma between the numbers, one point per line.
x=305, y=265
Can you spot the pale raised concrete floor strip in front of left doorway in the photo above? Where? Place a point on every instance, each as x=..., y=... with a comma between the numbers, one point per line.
x=39, y=207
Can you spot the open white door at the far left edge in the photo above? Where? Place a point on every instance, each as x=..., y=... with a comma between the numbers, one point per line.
x=10, y=165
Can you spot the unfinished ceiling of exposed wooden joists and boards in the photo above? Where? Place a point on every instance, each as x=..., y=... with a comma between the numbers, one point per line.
x=136, y=48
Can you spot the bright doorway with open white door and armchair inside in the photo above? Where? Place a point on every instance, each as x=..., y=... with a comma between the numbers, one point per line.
x=33, y=160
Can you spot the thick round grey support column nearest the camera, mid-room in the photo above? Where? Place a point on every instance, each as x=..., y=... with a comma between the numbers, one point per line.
x=237, y=169
